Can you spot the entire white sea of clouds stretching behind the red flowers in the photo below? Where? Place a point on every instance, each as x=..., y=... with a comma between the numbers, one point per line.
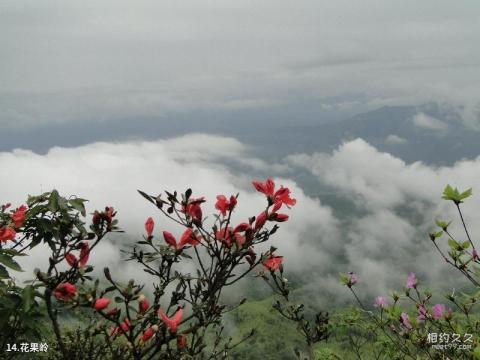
x=387, y=238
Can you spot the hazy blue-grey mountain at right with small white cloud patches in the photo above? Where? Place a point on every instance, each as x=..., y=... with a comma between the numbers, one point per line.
x=428, y=133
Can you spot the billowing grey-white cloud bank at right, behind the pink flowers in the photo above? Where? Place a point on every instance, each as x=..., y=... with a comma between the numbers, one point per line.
x=396, y=206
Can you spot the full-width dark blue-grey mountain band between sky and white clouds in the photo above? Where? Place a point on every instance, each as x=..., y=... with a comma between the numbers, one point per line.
x=430, y=133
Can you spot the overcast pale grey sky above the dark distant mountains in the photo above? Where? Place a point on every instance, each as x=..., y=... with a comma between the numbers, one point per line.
x=64, y=61
